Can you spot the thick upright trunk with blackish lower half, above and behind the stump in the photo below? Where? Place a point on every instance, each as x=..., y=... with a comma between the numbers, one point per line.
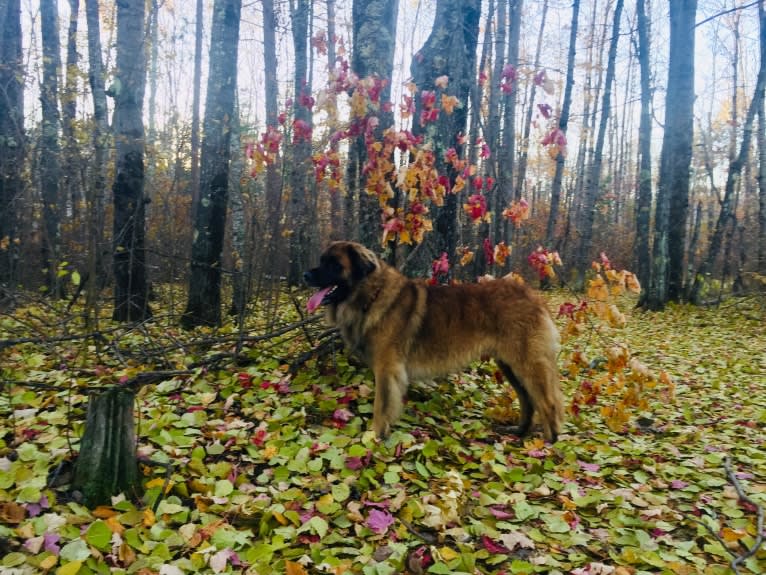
x=131, y=294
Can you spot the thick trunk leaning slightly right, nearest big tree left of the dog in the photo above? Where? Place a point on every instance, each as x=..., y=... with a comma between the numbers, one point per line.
x=204, y=303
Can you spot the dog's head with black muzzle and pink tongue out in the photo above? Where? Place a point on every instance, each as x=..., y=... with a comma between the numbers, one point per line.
x=342, y=266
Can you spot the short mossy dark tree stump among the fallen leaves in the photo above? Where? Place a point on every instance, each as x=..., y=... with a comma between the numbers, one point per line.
x=107, y=464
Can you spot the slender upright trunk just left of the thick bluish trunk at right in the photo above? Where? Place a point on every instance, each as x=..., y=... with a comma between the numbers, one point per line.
x=644, y=198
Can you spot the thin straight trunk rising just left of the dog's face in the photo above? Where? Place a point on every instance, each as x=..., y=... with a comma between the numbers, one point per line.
x=301, y=147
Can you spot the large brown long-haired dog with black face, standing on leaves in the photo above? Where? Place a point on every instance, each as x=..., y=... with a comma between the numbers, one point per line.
x=405, y=329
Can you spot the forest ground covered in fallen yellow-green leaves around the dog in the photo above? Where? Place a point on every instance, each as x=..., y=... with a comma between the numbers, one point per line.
x=249, y=467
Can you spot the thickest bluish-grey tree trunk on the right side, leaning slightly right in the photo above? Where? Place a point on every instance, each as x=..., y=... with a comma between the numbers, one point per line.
x=675, y=158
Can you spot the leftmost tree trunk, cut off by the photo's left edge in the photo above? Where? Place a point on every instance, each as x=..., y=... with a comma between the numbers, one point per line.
x=12, y=144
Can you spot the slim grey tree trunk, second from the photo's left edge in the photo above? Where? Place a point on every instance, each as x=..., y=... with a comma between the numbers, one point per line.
x=50, y=146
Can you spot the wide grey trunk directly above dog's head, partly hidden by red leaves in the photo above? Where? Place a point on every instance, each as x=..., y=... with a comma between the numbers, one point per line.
x=372, y=55
